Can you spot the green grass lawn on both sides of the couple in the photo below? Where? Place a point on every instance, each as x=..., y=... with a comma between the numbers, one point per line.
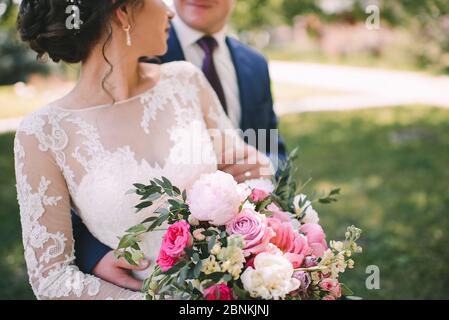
x=392, y=166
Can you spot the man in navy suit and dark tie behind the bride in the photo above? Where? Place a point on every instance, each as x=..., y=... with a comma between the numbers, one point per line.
x=238, y=74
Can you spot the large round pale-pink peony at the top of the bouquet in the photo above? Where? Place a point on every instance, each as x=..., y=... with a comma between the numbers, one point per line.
x=214, y=198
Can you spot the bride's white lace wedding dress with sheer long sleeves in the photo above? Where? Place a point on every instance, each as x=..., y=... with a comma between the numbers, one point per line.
x=88, y=159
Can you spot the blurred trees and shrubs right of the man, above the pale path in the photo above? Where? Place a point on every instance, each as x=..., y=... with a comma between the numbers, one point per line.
x=403, y=22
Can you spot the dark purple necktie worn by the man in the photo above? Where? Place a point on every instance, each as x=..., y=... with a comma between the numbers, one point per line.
x=208, y=44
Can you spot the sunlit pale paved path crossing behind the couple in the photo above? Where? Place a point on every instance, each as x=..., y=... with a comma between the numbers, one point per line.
x=358, y=88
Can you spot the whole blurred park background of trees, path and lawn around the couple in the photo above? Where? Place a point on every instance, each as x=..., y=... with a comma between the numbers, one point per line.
x=366, y=103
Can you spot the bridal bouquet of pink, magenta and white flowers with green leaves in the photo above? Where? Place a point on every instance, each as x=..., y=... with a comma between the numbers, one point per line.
x=225, y=241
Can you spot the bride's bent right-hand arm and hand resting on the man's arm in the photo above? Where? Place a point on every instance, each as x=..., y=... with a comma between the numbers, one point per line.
x=234, y=156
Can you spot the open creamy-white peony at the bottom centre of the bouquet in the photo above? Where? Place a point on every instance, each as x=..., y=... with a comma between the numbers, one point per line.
x=271, y=277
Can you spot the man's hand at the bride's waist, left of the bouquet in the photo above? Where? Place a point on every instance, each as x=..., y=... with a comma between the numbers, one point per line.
x=118, y=271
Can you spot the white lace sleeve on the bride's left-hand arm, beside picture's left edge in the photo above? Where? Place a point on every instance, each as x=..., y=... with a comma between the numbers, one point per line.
x=47, y=230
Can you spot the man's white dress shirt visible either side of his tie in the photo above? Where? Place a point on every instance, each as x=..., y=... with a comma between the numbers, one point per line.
x=223, y=63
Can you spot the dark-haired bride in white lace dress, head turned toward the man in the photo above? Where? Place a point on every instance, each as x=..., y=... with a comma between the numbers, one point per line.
x=124, y=122
